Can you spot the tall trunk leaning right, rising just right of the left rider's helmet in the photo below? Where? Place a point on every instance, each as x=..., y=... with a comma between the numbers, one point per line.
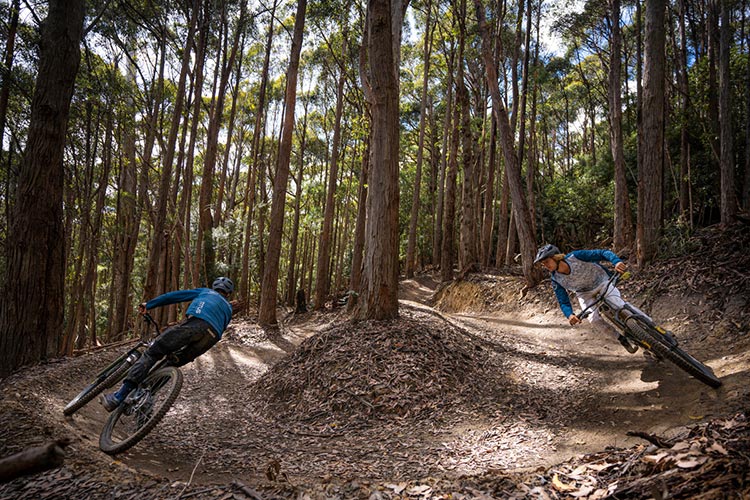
x=270, y=284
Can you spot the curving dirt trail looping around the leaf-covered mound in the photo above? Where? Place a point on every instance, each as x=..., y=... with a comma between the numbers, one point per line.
x=574, y=393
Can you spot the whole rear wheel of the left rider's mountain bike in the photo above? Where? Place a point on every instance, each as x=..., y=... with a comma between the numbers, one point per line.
x=142, y=409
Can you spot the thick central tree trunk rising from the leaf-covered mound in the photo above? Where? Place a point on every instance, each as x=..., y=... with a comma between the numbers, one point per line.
x=379, y=299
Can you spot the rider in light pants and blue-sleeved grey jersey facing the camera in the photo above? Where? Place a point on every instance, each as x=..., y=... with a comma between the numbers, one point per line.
x=579, y=271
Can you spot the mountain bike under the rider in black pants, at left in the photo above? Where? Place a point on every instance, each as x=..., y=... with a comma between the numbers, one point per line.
x=143, y=407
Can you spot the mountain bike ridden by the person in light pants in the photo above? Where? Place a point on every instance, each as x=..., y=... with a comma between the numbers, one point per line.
x=641, y=331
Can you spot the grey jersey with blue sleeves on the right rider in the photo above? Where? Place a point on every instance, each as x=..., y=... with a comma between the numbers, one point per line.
x=585, y=275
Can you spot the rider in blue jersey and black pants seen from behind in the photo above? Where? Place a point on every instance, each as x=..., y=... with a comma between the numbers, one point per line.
x=208, y=315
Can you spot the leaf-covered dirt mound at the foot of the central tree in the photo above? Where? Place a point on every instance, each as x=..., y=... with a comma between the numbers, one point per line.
x=408, y=369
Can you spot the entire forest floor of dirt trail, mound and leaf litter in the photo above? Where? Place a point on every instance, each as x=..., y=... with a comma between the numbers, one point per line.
x=474, y=392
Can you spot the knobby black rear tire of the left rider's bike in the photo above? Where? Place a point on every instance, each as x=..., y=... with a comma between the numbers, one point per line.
x=169, y=379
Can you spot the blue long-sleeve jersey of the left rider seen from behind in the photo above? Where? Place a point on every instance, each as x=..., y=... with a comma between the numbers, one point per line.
x=206, y=304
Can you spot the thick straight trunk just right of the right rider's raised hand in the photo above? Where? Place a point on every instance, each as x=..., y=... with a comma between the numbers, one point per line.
x=651, y=169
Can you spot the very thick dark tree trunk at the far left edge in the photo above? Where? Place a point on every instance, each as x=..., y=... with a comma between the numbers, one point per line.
x=31, y=313
